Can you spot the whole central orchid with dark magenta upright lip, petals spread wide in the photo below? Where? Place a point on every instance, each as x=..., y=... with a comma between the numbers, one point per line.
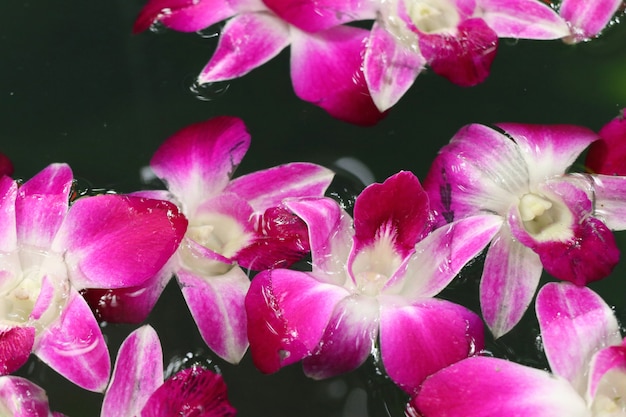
x=376, y=280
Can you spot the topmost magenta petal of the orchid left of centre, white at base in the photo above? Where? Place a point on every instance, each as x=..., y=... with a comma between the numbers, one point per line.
x=198, y=161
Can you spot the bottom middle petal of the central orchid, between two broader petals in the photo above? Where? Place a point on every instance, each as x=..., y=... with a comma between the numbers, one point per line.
x=348, y=338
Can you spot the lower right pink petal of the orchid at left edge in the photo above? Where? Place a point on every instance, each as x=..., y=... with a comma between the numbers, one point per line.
x=74, y=347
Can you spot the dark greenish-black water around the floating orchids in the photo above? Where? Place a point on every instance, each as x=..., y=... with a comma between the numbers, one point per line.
x=77, y=87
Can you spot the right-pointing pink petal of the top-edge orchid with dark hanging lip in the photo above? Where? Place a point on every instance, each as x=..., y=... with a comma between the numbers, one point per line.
x=525, y=19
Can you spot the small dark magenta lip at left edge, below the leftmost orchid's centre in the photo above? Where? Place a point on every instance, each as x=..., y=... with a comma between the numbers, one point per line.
x=16, y=343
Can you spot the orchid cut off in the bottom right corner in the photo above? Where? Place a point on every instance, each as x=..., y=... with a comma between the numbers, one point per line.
x=586, y=353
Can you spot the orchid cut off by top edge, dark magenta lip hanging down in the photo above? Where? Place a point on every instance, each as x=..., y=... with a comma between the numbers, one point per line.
x=458, y=39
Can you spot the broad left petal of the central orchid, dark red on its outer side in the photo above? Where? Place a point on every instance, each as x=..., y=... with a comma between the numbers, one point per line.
x=287, y=314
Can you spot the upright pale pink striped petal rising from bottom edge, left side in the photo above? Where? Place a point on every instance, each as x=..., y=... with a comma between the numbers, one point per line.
x=137, y=374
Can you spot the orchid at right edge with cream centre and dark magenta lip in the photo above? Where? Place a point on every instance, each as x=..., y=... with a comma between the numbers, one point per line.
x=548, y=218
